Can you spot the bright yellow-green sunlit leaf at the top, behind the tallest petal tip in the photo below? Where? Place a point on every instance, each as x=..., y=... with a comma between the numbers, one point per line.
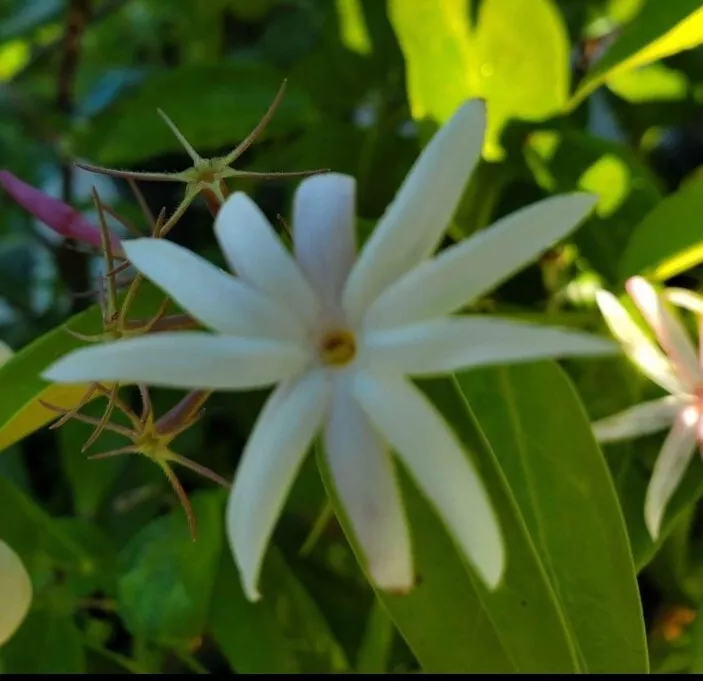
x=517, y=58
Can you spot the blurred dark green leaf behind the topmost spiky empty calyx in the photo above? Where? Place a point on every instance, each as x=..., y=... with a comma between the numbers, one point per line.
x=212, y=106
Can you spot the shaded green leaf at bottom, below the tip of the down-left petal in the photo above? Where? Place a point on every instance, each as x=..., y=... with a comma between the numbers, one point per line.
x=284, y=633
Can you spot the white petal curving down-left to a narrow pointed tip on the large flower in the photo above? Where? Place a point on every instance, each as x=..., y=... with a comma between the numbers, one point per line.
x=270, y=461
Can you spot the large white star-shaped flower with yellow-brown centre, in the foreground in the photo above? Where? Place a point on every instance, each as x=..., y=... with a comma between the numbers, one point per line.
x=342, y=335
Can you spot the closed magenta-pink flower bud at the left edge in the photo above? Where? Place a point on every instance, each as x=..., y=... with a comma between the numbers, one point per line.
x=54, y=213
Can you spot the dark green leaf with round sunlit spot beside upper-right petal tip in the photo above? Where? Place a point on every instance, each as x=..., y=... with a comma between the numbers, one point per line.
x=564, y=161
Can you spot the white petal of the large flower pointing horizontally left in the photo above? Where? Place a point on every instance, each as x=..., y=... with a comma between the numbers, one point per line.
x=183, y=359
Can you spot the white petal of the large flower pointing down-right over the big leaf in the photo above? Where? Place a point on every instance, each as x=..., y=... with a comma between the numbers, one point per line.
x=439, y=465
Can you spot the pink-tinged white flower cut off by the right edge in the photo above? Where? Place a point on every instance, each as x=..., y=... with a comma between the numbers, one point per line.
x=675, y=365
